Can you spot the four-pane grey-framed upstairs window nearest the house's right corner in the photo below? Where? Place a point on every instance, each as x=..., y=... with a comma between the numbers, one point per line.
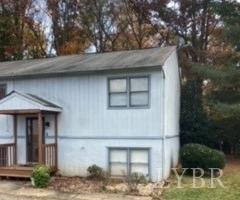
x=129, y=92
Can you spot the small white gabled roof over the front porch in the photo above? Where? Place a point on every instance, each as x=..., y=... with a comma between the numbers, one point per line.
x=21, y=103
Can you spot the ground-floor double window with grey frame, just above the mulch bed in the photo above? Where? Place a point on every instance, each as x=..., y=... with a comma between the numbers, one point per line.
x=125, y=161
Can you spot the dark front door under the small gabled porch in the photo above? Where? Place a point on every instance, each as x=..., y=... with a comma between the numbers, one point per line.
x=32, y=140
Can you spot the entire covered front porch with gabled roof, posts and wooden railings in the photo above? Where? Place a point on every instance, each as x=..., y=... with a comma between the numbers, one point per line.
x=33, y=146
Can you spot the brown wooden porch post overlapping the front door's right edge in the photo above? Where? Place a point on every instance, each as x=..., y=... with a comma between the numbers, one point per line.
x=40, y=138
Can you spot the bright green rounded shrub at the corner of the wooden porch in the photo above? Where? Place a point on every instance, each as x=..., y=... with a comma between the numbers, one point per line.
x=41, y=176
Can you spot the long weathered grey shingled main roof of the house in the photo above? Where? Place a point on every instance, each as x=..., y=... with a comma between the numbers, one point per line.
x=86, y=63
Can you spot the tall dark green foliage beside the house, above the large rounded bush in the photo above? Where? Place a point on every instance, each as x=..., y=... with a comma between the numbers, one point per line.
x=194, y=121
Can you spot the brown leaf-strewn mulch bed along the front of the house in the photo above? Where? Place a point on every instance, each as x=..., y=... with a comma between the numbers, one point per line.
x=89, y=186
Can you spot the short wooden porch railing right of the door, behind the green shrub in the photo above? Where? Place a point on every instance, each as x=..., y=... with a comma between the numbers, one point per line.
x=49, y=154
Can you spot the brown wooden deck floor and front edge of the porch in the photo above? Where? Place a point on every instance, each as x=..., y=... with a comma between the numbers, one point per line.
x=21, y=172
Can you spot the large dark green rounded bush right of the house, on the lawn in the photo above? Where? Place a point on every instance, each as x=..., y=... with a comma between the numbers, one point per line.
x=201, y=156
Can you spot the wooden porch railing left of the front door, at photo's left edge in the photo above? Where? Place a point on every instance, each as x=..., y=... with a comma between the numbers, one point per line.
x=7, y=155
